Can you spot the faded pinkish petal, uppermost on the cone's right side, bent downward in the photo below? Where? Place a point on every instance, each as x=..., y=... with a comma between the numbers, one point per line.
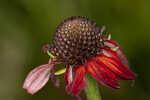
x=113, y=44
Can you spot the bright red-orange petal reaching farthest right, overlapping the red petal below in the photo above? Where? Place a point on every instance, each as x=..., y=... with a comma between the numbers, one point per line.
x=117, y=67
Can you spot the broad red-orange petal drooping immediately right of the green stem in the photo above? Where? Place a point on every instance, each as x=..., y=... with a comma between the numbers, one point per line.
x=101, y=73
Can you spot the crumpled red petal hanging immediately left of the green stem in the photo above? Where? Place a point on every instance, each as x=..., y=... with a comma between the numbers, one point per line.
x=79, y=81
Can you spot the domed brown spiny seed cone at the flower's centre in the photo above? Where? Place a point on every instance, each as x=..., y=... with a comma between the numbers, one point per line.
x=76, y=40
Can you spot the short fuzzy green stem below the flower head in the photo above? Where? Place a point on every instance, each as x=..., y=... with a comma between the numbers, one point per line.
x=92, y=90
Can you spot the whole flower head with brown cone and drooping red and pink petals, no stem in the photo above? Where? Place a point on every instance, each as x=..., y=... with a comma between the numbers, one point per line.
x=81, y=46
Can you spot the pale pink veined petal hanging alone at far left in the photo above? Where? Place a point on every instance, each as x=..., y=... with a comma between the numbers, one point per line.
x=37, y=78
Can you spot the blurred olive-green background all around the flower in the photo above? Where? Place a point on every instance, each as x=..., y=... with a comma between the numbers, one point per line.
x=26, y=25
